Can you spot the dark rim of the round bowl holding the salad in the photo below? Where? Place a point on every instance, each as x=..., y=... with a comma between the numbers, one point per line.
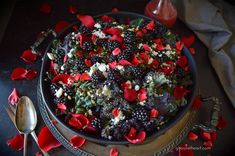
x=170, y=124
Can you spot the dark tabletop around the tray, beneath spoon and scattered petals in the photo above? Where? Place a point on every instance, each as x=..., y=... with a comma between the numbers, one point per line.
x=25, y=21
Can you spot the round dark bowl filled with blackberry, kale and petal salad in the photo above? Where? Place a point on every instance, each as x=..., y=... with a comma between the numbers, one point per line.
x=117, y=78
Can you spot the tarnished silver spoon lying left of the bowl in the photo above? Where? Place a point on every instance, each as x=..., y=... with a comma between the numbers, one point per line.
x=26, y=118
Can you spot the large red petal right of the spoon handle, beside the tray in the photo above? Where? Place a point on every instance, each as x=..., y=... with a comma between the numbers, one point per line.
x=46, y=140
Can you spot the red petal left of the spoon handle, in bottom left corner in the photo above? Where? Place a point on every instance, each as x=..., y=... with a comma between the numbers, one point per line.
x=16, y=142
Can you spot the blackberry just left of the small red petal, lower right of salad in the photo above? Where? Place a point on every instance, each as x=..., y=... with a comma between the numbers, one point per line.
x=140, y=114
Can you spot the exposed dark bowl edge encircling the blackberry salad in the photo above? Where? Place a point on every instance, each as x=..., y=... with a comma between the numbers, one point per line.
x=47, y=98
